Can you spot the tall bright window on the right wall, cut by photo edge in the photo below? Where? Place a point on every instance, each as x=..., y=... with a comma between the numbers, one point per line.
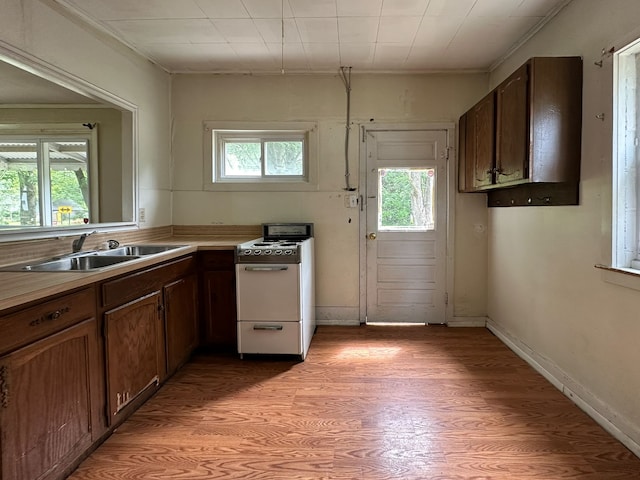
x=626, y=180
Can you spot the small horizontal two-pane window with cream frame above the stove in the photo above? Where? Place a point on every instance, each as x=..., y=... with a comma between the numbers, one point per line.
x=273, y=156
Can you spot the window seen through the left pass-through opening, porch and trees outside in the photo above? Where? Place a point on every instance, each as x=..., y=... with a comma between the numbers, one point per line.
x=44, y=178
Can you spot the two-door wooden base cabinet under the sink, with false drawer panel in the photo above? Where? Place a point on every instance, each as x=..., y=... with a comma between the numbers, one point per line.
x=149, y=322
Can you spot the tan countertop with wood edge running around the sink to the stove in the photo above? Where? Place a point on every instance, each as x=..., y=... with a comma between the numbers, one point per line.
x=17, y=288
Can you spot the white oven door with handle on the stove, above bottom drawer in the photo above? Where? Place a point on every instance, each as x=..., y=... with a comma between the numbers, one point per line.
x=268, y=292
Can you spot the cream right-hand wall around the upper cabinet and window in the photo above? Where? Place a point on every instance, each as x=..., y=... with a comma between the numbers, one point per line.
x=544, y=292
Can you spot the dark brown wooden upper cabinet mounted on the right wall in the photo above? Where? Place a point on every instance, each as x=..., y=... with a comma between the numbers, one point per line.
x=527, y=130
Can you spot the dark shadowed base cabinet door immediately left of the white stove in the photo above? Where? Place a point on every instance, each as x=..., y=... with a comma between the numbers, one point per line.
x=219, y=319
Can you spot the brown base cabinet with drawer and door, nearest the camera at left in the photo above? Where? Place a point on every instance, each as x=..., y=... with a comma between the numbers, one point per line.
x=50, y=387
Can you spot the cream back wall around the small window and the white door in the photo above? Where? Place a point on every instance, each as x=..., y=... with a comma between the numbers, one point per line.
x=322, y=99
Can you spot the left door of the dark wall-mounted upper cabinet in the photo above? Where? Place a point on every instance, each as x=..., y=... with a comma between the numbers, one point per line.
x=482, y=124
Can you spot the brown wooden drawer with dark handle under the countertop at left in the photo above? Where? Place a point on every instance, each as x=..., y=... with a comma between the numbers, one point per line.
x=36, y=322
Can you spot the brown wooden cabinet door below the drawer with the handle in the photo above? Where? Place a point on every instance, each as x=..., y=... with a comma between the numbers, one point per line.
x=46, y=409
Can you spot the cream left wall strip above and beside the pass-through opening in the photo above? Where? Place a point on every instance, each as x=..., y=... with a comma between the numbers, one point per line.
x=41, y=29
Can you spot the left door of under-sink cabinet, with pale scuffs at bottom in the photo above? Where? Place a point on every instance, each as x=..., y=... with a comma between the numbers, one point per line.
x=134, y=356
